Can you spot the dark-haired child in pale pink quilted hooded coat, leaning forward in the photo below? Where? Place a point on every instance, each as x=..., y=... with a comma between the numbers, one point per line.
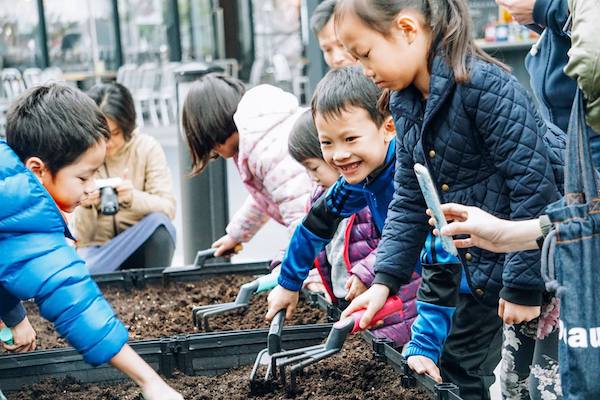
x=221, y=119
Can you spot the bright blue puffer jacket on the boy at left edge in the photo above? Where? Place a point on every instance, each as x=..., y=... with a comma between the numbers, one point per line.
x=38, y=263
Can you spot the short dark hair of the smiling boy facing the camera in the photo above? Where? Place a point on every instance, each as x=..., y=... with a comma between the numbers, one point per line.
x=347, y=87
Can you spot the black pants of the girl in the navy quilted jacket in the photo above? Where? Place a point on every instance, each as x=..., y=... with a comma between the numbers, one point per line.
x=473, y=349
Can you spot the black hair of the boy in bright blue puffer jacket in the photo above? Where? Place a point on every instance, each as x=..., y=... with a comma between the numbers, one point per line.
x=56, y=123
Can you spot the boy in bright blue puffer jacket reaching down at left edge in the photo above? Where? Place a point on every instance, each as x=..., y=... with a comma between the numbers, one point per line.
x=56, y=140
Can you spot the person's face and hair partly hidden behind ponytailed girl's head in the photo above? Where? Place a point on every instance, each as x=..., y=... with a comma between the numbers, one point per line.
x=321, y=23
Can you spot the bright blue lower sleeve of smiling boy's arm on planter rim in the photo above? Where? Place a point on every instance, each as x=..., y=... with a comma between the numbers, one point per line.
x=429, y=331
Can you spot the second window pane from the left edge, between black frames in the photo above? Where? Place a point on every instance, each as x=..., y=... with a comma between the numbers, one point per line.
x=81, y=35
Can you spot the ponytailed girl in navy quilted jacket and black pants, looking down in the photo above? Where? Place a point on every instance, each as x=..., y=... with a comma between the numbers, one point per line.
x=460, y=113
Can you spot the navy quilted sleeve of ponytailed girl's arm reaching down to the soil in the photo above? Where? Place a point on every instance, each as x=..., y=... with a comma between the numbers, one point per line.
x=405, y=227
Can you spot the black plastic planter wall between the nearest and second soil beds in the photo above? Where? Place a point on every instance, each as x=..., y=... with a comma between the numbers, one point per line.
x=196, y=354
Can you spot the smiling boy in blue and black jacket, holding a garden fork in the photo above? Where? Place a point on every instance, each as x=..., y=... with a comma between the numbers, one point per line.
x=358, y=140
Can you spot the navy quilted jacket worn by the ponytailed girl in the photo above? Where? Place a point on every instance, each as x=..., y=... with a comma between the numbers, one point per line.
x=483, y=142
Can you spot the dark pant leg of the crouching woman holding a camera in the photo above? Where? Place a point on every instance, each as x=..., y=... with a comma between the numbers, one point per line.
x=156, y=251
